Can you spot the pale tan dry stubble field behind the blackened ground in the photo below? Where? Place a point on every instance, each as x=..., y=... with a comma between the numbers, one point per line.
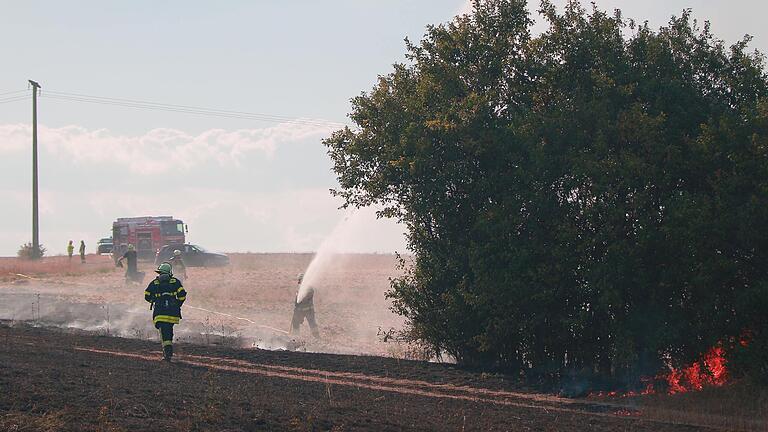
x=248, y=303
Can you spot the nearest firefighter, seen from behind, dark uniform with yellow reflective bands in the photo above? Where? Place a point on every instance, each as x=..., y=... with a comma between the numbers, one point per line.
x=166, y=295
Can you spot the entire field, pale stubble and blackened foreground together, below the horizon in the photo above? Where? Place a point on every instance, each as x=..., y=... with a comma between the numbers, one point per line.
x=78, y=352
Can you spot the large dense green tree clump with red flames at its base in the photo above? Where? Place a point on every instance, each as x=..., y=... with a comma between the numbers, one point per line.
x=591, y=199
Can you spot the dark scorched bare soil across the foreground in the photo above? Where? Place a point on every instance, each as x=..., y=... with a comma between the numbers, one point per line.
x=67, y=380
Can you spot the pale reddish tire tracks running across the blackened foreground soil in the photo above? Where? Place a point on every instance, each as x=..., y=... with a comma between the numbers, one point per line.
x=401, y=386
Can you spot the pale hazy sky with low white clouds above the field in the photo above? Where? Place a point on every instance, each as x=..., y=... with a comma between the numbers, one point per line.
x=242, y=185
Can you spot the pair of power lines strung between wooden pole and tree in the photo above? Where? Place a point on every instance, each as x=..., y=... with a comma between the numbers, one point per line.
x=157, y=106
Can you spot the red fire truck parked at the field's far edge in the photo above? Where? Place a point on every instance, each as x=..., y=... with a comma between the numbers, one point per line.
x=147, y=233
